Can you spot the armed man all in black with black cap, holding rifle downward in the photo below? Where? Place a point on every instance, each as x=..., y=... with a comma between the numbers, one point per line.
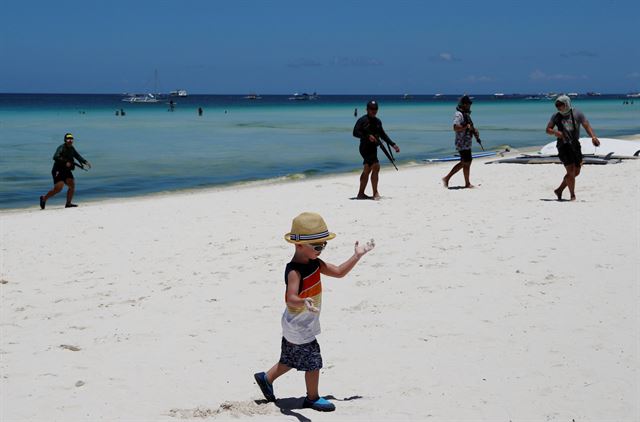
x=369, y=130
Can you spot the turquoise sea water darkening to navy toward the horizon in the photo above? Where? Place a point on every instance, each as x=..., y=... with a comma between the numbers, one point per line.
x=154, y=150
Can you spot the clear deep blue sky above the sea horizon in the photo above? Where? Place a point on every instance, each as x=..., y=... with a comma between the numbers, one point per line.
x=332, y=47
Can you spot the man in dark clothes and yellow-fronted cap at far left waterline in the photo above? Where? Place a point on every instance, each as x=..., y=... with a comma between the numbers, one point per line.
x=63, y=166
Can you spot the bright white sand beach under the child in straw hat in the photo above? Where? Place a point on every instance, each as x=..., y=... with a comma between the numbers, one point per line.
x=497, y=303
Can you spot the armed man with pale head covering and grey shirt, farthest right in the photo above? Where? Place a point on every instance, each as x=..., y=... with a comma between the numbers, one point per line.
x=568, y=121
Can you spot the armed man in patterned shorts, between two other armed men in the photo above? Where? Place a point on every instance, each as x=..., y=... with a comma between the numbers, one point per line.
x=464, y=129
